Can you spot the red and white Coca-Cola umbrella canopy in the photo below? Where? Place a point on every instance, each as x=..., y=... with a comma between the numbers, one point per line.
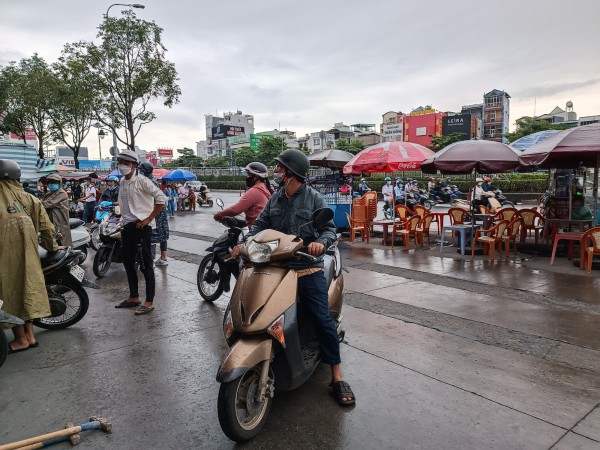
x=388, y=157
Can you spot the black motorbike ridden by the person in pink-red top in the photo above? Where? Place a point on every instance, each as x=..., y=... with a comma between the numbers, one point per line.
x=216, y=268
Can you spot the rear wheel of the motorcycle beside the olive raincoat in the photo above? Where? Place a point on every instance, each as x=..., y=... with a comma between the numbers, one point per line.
x=77, y=302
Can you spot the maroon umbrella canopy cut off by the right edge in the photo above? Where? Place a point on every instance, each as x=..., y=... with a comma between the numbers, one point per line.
x=567, y=149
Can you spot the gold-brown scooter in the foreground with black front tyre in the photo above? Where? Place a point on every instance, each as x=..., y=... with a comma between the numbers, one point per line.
x=271, y=338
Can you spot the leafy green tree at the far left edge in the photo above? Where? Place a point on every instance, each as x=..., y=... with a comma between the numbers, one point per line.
x=27, y=98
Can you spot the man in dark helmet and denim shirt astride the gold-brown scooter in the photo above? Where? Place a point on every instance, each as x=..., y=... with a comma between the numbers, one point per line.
x=290, y=207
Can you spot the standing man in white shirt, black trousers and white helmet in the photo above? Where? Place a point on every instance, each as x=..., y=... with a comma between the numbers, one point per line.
x=141, y=201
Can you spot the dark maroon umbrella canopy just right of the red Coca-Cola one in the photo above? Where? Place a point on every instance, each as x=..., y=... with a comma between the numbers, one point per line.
x=466, y=156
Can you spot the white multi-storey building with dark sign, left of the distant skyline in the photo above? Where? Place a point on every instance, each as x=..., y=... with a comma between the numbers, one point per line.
x=225, y=134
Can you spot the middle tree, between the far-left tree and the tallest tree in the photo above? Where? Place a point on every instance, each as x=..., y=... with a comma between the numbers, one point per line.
x=74, y=101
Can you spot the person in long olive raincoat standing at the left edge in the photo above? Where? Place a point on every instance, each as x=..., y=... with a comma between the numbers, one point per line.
x=22, y=285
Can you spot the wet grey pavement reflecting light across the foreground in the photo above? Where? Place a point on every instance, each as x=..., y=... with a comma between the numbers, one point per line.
x=442, y=351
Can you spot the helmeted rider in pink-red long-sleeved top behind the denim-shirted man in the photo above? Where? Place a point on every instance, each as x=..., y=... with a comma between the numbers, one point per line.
x=255, y=198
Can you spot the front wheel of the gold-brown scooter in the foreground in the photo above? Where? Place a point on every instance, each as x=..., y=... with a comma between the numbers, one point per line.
x=240, y=415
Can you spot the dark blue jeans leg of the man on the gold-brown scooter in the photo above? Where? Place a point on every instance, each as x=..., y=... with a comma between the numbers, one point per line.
x=312, y=290
